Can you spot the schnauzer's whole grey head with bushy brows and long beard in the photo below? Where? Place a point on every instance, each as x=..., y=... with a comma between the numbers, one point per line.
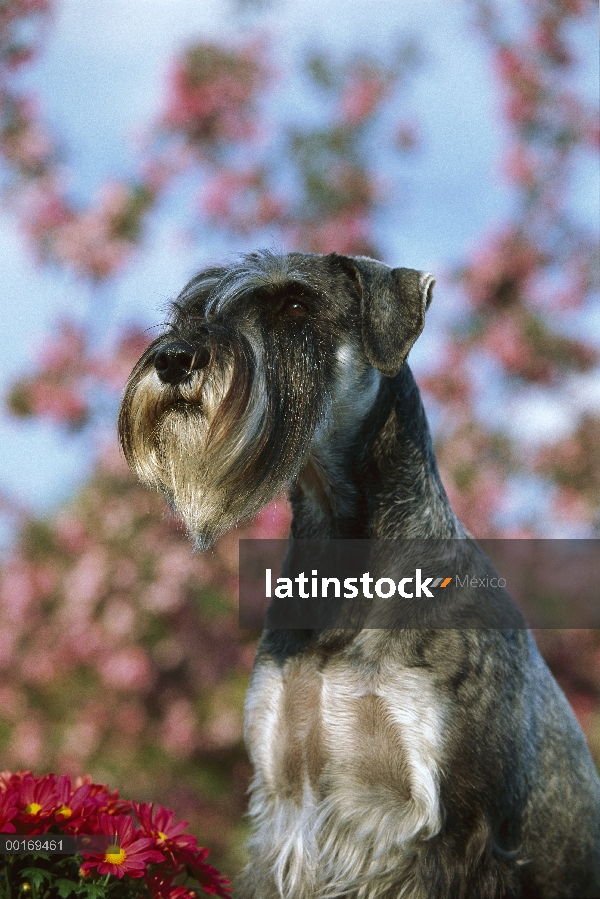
x=259, y=361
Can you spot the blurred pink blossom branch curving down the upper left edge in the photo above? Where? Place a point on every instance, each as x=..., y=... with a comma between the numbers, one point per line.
x=95, y=242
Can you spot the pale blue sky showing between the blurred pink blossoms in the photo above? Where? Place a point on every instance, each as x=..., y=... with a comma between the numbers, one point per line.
x=100, y=79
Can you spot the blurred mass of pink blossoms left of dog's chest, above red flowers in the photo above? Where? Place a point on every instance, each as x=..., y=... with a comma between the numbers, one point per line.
x=106, y=599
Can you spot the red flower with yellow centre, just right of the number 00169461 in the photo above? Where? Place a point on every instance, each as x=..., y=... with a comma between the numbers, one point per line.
x=130, y=857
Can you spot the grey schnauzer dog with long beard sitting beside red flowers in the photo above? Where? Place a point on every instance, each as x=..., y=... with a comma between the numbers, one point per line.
x=431, y=763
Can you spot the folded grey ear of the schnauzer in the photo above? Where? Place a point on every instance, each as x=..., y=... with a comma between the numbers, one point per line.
x=393, y=304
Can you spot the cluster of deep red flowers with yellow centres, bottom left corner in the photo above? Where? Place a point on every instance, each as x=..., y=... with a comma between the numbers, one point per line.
x=157, y=849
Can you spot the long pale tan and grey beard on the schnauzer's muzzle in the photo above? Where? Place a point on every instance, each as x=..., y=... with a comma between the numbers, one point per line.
x=223, y=443
